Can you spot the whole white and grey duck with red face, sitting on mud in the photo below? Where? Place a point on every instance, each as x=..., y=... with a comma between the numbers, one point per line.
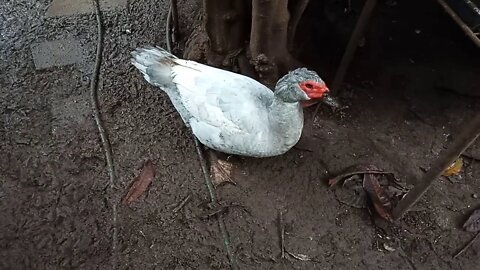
x=229, y=112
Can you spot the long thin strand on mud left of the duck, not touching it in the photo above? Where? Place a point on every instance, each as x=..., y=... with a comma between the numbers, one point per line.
x=101, y=129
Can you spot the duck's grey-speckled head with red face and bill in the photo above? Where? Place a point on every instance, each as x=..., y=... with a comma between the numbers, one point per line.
x=302, y=84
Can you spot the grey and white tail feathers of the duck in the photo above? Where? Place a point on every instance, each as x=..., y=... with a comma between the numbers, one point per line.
x=155, y=64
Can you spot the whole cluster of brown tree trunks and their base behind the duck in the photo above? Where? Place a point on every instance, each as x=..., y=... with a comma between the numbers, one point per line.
x=237, y=30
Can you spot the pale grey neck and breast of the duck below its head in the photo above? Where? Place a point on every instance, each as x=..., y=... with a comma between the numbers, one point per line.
x=286, y=120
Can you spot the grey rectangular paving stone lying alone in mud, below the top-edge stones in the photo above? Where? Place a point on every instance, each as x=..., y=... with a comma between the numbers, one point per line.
x=57, y=53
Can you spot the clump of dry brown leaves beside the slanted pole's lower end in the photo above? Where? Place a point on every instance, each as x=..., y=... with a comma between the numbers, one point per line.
x=367, y=186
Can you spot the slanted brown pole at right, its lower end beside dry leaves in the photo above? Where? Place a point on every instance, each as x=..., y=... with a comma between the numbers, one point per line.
x=447, y=157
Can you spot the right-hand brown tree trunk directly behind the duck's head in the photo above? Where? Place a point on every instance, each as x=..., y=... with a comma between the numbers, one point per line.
x=268, y=39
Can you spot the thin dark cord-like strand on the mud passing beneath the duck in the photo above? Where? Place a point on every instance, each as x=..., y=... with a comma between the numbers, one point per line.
x=206, y=174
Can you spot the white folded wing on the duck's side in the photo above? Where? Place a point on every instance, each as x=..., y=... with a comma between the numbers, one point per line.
x=221, y=99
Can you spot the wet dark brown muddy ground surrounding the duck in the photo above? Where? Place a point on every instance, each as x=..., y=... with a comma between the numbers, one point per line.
x=409, y=89
